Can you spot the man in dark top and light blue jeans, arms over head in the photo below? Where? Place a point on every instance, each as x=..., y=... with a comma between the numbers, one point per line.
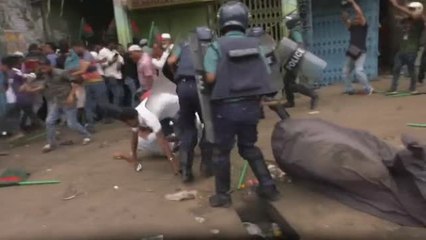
x=357, y=51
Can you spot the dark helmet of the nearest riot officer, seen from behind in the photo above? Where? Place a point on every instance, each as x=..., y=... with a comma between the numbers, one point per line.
x=235, y=14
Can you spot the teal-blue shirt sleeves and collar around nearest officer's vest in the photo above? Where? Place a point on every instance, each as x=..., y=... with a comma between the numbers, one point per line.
x=213, y=53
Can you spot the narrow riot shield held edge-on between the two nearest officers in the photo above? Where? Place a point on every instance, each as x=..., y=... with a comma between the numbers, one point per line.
x=199, y=42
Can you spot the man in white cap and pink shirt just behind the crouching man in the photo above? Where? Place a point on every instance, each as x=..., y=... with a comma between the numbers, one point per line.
x=145, y=67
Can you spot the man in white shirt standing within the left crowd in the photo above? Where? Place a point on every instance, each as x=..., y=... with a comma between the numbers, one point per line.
x=112, y=61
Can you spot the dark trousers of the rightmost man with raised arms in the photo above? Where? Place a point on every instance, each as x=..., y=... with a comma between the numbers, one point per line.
x=402, y=59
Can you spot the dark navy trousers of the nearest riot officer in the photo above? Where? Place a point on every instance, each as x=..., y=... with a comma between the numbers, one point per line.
x=237, y=120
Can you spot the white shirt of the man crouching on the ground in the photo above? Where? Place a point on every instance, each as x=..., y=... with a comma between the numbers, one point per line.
x=167, y=107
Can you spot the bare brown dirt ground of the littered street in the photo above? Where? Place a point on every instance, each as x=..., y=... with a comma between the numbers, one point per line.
x=138, y=208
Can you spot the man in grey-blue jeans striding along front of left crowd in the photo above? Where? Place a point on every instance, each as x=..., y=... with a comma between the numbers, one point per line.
x=60, y=96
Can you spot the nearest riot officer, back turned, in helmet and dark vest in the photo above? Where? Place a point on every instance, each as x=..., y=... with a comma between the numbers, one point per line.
x=239, y=76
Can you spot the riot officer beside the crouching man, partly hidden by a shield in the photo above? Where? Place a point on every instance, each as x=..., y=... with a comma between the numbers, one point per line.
x=184, y=78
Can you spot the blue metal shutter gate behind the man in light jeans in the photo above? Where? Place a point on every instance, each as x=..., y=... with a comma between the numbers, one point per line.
x=329, y=38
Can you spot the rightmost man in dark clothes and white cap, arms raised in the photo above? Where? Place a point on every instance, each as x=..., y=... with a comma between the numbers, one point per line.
x=412, y=27
